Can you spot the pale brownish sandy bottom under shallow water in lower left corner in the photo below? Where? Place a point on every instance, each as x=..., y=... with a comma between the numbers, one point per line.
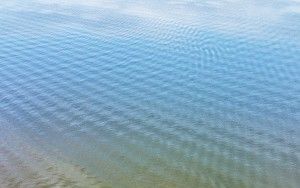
x=22, y=165
